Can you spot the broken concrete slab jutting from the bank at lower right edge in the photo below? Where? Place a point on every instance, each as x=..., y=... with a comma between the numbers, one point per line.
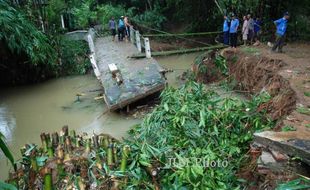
x=294, y=147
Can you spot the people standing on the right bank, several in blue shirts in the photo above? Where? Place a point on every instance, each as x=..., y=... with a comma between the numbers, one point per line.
x=251, y=29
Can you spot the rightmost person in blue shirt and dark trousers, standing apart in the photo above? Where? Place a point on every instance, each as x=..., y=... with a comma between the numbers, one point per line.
x=281, y=25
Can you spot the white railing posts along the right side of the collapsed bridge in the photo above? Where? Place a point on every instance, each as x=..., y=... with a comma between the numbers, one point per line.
x=142, y=43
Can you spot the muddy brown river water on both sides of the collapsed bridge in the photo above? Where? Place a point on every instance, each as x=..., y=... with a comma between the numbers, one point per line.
x=27, y=111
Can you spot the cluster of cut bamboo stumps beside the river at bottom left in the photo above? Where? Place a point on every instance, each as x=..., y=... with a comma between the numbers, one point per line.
x=69, y=161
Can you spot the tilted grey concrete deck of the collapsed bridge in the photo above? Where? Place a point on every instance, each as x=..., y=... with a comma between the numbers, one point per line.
x=141, y=77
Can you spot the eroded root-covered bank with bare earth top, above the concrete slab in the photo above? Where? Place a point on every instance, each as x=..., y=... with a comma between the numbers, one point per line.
x=255, y=70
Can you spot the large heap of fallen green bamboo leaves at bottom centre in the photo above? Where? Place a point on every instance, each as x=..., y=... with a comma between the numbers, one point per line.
x=192, y=122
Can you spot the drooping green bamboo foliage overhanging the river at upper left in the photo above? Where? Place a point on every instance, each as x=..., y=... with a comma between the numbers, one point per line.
x=21, y=36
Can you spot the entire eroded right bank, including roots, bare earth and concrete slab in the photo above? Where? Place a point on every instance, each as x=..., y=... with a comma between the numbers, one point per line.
x=286, y=78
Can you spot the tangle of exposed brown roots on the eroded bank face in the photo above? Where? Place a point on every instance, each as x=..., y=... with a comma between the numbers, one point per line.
x=252, y=74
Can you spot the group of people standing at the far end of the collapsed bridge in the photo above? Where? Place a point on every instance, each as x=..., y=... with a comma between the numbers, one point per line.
x=122, y=27
